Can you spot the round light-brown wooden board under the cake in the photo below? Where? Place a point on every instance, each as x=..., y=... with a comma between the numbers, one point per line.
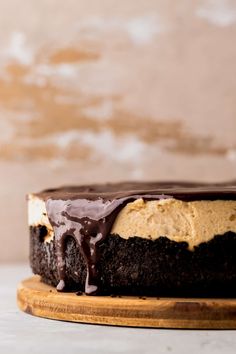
x=39, y=299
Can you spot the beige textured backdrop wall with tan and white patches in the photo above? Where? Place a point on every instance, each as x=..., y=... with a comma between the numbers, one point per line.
x=110, y=90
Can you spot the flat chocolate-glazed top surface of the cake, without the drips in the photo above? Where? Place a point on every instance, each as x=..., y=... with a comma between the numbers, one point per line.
x=159, y=190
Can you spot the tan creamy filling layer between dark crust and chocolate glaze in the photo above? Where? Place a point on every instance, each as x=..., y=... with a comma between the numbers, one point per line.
x=193, y=222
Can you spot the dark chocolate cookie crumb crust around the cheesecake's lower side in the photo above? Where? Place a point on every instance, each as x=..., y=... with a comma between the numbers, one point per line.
x=167, y=268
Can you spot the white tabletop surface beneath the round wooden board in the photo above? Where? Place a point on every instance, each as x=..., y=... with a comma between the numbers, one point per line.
x=22, y=333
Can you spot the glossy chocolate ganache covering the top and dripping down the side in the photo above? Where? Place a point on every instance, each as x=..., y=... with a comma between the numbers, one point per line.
x=87, y=214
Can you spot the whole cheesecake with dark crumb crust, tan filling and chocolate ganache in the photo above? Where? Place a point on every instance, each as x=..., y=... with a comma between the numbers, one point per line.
x=142, y=239
